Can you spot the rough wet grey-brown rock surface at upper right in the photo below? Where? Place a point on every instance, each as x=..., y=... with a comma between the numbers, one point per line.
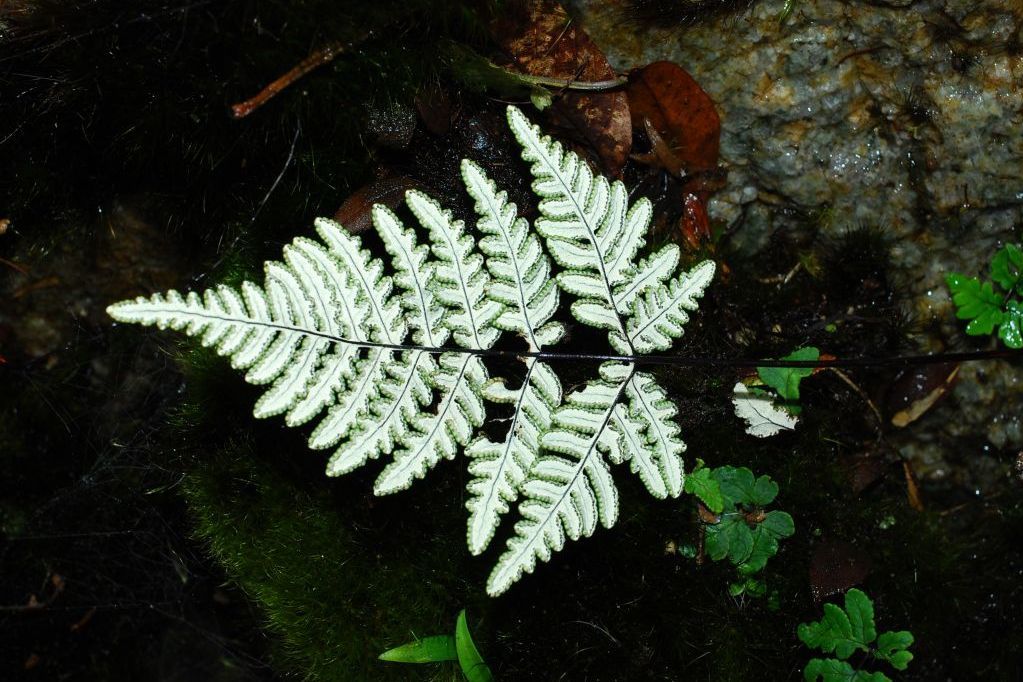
x=903, y=114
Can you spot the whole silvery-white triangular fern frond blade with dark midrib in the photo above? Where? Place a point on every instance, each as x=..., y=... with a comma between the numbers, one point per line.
x=393, y=365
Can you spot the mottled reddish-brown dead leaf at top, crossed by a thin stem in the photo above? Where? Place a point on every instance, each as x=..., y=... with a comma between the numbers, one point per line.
x=542, y=39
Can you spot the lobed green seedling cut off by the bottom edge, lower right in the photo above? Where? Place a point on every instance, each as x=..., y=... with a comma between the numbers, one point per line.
x=844, y=632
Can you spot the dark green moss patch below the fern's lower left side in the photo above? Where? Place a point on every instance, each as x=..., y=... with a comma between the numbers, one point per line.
x=337, y=582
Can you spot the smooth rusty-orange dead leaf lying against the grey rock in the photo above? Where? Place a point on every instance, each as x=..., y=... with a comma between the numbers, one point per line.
x=680, y=111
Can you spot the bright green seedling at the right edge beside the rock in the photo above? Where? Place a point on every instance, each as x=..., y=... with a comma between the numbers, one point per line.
x=996, y=304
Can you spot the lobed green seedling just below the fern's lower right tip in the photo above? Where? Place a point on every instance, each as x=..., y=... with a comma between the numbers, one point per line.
x=736, y=524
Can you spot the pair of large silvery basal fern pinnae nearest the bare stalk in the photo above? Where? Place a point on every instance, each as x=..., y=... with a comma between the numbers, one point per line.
x=625, y=416
